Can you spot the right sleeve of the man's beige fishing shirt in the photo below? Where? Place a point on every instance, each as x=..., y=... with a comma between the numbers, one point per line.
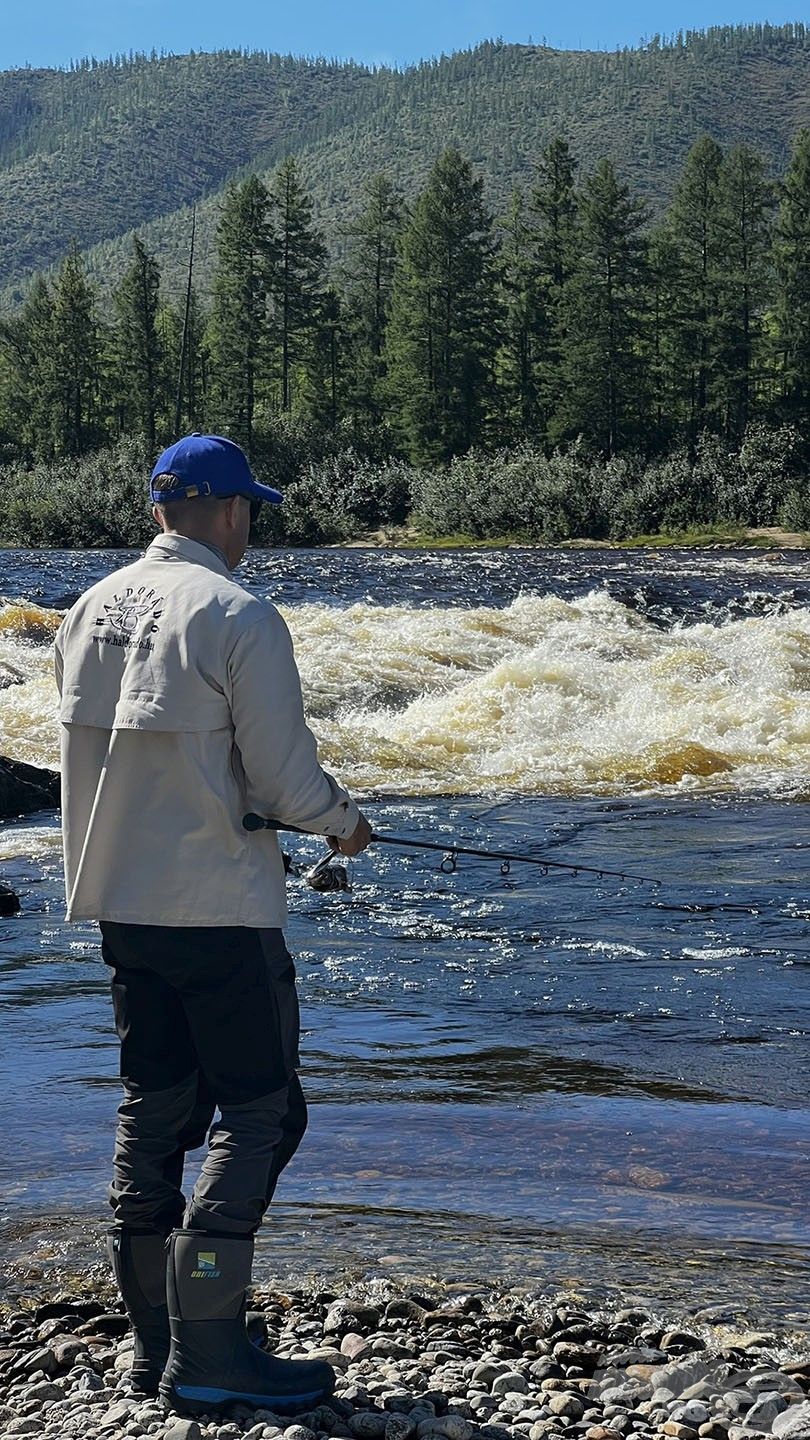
x=277, y=750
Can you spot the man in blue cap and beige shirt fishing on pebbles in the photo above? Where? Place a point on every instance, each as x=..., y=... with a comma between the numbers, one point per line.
x=181, y=709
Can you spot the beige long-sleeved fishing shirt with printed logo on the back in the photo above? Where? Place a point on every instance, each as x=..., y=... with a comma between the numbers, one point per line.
x=181, y=711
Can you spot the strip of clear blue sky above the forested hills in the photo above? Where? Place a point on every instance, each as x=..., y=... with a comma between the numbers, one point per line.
x=53, y=32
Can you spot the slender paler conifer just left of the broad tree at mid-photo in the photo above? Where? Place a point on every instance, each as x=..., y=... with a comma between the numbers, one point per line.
x=368, y=279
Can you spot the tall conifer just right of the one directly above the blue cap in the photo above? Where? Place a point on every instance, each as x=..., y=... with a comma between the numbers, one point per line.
x=298, y=279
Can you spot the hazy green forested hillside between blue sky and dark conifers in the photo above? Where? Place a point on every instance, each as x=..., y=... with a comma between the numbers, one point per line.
x=102, y=150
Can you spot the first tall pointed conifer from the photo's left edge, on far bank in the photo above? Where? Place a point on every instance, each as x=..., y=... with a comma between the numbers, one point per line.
x=76, y=348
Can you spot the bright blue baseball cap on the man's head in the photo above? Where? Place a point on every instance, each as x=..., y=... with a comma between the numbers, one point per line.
x=207, y=466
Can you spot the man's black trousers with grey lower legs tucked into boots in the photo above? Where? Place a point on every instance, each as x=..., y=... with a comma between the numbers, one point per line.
x=208, y=1022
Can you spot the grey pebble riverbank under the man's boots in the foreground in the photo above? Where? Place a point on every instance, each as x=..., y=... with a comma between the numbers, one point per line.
x=427, y=1362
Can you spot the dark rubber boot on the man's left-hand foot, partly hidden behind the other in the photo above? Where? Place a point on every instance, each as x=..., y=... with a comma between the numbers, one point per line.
x=139, y=1264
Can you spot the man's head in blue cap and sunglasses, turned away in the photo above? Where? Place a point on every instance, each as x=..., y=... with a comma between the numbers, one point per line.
x=202, y=487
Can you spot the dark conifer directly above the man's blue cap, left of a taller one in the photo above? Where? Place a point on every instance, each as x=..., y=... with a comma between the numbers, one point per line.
x=239, y=328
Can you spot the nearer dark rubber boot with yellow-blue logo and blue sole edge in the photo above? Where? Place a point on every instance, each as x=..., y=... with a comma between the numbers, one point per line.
x=213, y=1363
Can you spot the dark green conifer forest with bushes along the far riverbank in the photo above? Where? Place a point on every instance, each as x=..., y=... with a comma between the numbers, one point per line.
x=576, y=362
